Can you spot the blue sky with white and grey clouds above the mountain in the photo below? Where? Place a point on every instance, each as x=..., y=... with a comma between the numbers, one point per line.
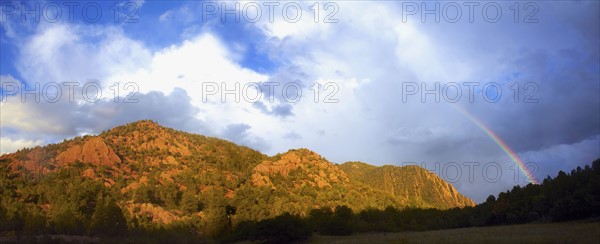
x=438, y=84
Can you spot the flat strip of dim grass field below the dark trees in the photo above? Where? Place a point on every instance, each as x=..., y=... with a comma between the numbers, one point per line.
x=567, y=232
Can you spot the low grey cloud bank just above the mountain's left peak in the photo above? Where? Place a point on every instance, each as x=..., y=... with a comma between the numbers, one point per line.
x=68, y=119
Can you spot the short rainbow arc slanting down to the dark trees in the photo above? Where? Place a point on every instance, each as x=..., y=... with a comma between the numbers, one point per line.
x=500, y=143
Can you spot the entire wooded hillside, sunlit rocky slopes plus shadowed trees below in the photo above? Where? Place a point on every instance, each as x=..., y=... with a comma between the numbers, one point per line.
x=148, y=182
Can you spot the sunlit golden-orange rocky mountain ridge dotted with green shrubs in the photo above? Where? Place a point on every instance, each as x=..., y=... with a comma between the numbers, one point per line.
x=159, y=176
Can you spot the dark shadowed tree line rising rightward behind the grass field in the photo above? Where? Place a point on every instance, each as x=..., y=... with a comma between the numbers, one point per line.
x=568, y=196
